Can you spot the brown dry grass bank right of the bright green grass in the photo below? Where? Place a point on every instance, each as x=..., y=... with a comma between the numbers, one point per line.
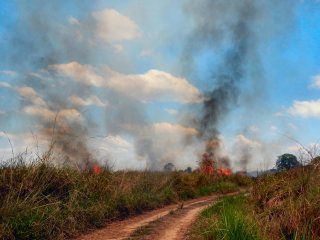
x=287, y=204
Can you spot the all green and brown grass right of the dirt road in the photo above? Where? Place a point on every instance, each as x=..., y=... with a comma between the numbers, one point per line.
x=285, y=205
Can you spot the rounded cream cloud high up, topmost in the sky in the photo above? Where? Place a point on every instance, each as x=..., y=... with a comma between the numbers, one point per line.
x=111, y=26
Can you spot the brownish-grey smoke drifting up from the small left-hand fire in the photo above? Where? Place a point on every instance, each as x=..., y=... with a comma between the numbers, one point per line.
x=37, y=38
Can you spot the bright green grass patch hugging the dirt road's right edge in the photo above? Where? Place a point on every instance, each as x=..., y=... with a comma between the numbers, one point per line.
x=226, y=219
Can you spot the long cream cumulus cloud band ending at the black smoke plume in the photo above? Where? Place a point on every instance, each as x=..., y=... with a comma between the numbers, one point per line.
x=154, y=85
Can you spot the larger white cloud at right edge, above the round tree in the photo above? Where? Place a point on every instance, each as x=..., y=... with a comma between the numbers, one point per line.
x=305, y=109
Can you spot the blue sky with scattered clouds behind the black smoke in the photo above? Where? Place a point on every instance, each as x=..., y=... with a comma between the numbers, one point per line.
x=126, y=80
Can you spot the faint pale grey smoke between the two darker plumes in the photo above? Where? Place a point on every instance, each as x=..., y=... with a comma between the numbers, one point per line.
x=155, y=143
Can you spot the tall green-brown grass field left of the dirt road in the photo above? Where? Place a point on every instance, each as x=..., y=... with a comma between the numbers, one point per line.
x=40, y=201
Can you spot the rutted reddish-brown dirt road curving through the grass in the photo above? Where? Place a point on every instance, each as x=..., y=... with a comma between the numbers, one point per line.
x=168, y=223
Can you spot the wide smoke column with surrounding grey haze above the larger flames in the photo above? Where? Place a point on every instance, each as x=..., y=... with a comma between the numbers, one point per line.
x=232, y=32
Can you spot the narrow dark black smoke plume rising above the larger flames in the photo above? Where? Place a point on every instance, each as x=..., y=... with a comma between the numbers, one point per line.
x=219, y=22
